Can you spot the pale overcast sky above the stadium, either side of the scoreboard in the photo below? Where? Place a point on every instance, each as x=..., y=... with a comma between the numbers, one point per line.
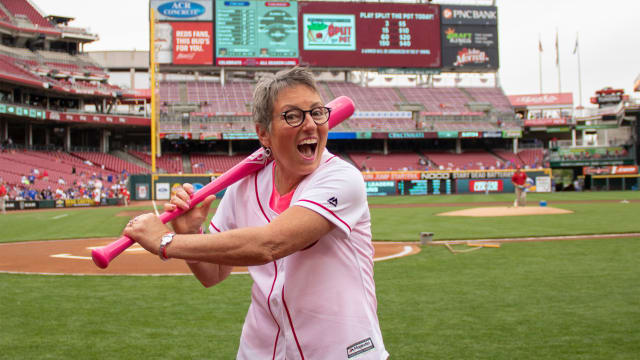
x=608, y=39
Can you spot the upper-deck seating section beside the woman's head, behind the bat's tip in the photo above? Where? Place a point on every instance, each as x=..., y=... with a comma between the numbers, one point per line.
x=367, y=98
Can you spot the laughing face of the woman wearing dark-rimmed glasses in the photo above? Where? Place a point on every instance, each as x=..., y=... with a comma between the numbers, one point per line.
x=297, y=150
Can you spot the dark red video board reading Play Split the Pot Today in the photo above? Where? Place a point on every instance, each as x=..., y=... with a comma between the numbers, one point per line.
x=369, y=34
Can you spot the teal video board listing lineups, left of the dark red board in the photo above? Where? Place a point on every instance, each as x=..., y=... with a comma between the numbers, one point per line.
x=256, y=33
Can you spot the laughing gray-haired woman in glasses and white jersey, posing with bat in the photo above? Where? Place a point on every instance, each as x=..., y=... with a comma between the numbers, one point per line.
x=302, y=226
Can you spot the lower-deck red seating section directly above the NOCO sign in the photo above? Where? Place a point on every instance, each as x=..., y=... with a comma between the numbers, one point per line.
x=469, y=160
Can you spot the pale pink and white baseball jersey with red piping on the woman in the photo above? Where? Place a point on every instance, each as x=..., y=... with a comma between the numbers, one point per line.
x=318, y=303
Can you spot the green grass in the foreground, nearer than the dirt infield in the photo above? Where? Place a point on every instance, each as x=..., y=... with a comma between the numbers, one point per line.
x=552, y=300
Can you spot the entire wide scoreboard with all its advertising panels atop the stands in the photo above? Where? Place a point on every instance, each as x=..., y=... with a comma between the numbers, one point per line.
x=325, y=34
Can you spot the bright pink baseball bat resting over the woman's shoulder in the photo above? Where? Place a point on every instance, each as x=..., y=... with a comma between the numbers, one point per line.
x=341, y=108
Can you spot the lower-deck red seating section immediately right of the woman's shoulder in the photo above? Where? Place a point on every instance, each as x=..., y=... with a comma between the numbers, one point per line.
x=380, y=162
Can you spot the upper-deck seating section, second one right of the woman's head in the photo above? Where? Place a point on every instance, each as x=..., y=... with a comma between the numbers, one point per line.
x=445, y=100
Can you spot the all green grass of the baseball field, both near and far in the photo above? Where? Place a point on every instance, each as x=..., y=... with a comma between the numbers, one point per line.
x=562, y=299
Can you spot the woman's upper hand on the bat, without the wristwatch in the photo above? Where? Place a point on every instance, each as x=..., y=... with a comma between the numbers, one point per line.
x=191, y=221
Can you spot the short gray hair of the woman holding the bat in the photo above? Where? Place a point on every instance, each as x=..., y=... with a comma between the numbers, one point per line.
x=270, y=85
